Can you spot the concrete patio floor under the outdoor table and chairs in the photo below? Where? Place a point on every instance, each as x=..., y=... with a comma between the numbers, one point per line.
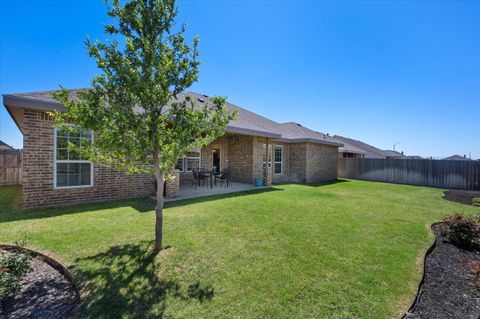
x=187, y=192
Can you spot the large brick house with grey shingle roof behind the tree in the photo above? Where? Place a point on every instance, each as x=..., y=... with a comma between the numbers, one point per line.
x=51, y=177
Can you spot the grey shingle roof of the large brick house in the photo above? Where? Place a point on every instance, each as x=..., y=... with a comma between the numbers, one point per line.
x=247, y=123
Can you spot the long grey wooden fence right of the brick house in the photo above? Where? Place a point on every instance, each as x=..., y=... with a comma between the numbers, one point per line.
x=435, y=173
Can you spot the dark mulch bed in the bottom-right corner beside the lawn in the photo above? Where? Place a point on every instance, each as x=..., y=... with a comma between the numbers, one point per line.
x=446, y=290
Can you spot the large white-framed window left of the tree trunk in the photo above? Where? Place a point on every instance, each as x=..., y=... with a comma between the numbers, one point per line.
x=70, y=169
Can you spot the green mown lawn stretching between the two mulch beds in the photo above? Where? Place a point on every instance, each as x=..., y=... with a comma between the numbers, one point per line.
x=350, y=249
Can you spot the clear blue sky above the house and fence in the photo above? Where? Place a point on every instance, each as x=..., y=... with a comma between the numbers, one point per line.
x=381, y=72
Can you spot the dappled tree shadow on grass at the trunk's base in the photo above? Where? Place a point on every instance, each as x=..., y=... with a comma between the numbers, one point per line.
x=124, y=282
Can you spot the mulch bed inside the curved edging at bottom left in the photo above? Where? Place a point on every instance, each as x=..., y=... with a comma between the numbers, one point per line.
x=47, y=293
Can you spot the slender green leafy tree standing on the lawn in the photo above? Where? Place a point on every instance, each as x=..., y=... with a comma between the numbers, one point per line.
x=141, y=123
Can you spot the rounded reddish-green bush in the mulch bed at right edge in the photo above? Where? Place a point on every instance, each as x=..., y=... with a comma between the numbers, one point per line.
x=461, y=230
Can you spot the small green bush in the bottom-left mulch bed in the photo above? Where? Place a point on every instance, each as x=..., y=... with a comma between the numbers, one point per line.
x=13, y=267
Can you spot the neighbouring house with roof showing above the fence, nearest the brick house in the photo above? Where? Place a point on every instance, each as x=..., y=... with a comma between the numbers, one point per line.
x=352, y=148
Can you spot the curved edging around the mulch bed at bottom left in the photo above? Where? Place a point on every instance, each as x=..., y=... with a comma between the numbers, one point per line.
x=55, y=265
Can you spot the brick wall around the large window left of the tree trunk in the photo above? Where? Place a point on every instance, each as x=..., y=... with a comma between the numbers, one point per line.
x=38, y=166
